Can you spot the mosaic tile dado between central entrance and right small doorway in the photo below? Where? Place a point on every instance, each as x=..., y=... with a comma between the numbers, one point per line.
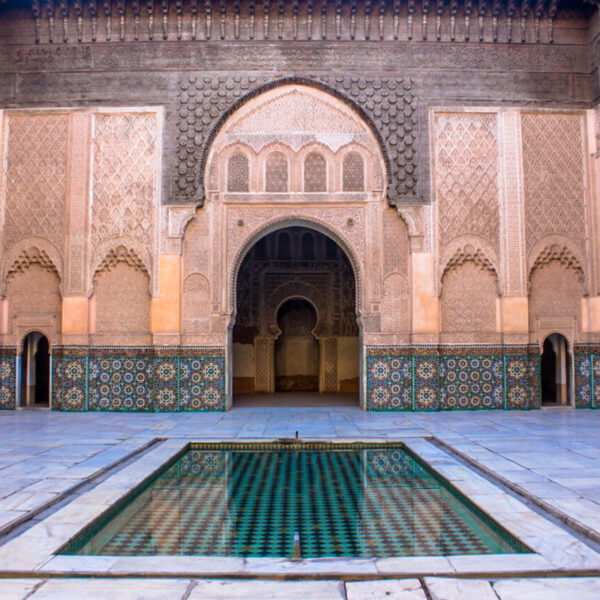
x=457, y=377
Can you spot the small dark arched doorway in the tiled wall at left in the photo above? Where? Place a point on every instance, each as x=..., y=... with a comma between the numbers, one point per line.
x=35, y=371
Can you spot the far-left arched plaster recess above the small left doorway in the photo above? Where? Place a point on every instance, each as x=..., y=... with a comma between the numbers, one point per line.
x=33, y=290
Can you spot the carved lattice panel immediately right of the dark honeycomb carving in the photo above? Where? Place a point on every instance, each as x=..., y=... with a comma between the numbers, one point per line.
x=466, y=157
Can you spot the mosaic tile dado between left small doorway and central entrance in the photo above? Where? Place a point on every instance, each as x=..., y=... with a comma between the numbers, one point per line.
x=138, y=379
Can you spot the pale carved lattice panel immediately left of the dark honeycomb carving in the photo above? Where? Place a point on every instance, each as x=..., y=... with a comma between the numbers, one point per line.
x=124, y=176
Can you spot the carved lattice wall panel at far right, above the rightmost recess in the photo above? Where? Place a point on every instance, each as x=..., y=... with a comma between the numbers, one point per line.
x=554, y=178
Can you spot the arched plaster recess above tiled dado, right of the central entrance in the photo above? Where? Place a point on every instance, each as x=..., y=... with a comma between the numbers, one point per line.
x=469, y=298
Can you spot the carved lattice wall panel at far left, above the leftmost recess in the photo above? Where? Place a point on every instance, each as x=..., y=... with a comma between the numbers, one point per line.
x=35, y=178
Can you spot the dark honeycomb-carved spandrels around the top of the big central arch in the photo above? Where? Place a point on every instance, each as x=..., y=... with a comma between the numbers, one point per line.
x=205, y=101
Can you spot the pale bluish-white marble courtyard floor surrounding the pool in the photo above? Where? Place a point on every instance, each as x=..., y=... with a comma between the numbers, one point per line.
x=50, y=462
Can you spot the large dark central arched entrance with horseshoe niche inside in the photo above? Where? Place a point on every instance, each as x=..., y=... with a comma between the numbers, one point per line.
x=295, y=326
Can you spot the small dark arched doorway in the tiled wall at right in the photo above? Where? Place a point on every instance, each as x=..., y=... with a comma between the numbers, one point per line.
x=556, y=371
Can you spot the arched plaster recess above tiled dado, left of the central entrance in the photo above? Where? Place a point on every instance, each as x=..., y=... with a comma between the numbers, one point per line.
x=121, y=300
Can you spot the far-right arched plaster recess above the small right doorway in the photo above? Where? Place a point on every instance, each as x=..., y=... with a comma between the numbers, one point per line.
x=556, y=287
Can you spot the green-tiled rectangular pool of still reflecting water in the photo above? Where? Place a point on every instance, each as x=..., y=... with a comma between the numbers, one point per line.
x=350, y=501
